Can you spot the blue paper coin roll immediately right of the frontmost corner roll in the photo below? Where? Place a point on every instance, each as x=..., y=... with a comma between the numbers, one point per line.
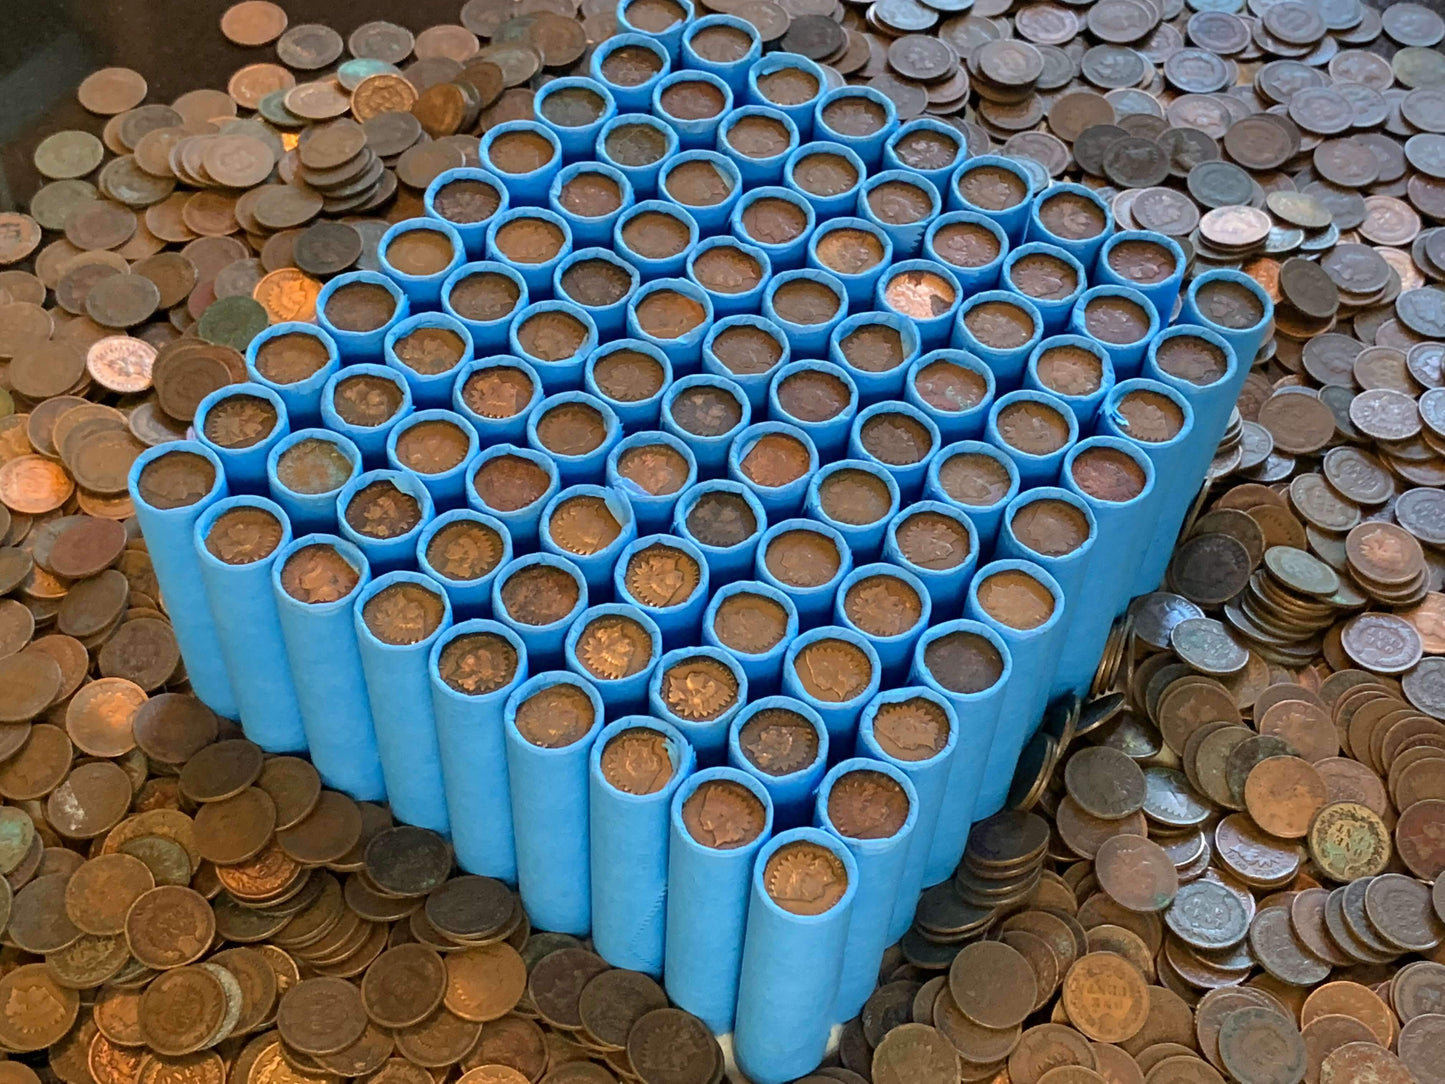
x=881, y=864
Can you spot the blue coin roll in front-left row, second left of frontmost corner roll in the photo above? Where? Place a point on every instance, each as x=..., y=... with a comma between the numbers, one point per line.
x=629, y=853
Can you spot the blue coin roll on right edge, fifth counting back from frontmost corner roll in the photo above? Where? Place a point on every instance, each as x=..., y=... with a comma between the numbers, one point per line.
x=1034, y=653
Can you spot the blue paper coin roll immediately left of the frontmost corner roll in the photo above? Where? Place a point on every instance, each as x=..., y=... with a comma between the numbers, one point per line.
x=707, y=904
